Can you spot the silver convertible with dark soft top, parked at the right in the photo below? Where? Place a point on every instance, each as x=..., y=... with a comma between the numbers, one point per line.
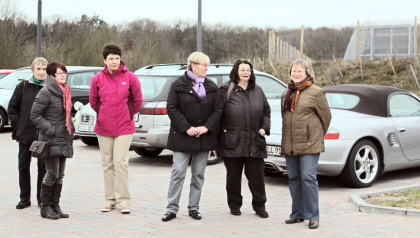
x=374, y=129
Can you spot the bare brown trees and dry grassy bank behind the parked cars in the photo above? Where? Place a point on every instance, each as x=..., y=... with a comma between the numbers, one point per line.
x=144, y=42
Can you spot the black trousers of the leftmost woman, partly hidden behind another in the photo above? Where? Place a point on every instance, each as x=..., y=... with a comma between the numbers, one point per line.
x=25, y=172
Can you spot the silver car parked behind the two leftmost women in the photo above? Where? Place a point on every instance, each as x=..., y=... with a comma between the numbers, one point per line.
x=78, y=78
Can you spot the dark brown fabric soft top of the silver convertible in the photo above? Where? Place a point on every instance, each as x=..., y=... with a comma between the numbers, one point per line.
x=373, y=98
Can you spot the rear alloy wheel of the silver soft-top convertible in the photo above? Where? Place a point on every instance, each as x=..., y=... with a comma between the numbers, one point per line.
x=362, y=166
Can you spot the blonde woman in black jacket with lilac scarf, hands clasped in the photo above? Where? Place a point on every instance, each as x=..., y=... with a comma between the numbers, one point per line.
x=195, y=109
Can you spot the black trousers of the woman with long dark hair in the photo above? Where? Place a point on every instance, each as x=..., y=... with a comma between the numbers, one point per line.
x=254, y=172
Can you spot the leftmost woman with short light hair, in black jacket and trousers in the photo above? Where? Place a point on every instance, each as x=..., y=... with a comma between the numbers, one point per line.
x=25, y=131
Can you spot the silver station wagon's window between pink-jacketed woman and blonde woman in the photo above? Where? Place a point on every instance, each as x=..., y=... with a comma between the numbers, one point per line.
x=153, y=87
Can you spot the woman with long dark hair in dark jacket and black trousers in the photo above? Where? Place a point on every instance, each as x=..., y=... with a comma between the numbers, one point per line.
x=245, y=122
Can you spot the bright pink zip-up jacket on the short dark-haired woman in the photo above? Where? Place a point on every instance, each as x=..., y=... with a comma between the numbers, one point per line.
x=108, y=96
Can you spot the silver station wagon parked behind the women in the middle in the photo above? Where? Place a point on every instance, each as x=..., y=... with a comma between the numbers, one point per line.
x=152, y=122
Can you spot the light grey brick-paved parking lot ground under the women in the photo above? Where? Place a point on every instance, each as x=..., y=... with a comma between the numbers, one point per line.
x=83, y=195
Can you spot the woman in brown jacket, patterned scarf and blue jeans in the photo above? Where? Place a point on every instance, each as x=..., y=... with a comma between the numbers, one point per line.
x=306, y=117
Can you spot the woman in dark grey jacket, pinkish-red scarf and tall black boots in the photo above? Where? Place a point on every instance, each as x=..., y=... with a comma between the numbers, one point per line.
x=51, y=115
